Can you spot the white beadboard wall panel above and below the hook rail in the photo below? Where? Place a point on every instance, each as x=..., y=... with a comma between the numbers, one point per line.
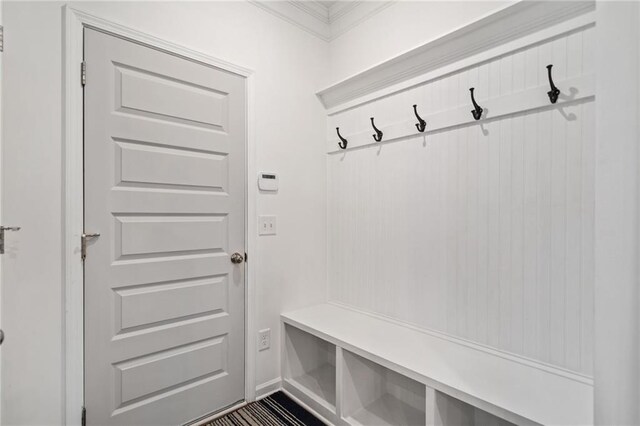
x=483, y=231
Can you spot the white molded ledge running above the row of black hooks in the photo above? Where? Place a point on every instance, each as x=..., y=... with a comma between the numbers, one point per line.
x=453, y=51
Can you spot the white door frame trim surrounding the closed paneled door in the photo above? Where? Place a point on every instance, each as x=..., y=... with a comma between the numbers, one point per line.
x=74, y=21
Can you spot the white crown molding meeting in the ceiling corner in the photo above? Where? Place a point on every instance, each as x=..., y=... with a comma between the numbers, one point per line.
x=324, y=22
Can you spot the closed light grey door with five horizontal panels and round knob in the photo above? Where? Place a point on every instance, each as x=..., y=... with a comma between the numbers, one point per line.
x=164, y=158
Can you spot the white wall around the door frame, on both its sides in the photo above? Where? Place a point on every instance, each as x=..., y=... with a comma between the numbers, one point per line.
x=290, y=65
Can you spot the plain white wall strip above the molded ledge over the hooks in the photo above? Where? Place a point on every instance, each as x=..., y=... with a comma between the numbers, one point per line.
x=398, y=28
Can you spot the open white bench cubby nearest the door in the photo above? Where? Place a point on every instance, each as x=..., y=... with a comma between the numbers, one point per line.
x=310, y=365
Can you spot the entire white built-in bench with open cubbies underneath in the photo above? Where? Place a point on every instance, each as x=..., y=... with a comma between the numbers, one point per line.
x=354, y=368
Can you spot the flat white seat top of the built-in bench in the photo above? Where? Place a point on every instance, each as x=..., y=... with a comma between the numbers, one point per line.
x=513, y=388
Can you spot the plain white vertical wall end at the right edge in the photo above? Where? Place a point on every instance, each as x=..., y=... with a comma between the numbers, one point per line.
x=617, y=328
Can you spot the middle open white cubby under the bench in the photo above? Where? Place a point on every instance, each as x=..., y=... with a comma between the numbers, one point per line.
x=375, y=395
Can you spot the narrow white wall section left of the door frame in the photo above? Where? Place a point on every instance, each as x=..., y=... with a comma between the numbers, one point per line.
x=31, y=288
